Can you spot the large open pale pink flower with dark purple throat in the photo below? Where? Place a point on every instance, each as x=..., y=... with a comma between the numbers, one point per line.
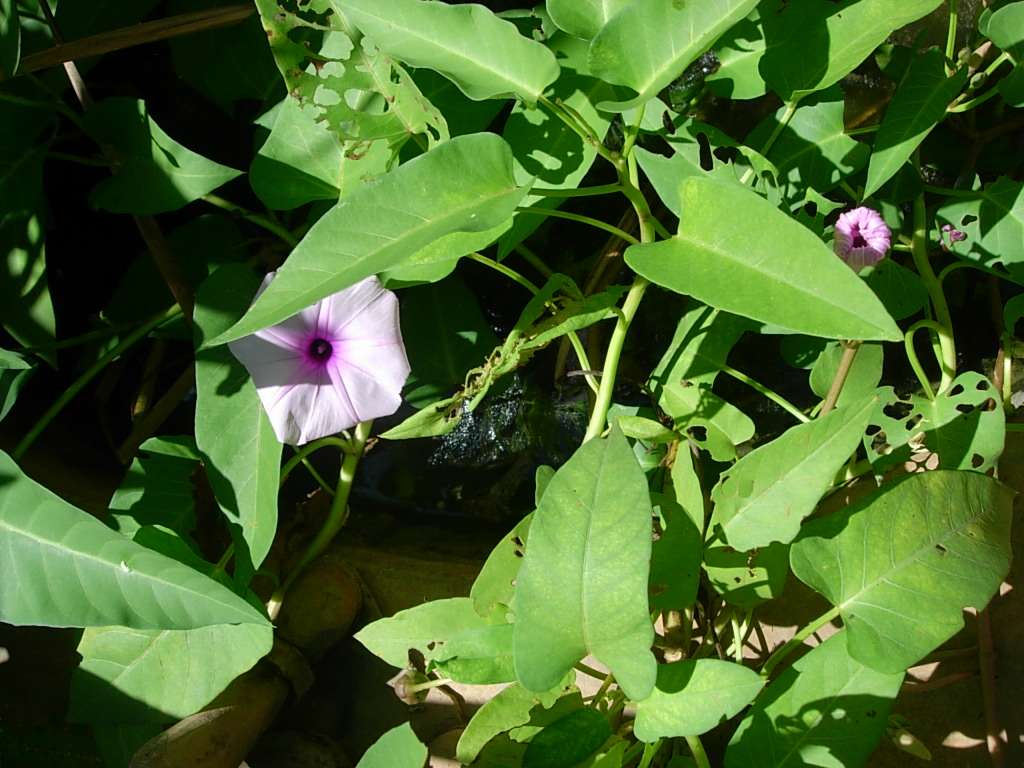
x=330, y=367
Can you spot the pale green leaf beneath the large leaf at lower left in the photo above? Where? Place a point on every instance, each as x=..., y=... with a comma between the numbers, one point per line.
x=146, y=676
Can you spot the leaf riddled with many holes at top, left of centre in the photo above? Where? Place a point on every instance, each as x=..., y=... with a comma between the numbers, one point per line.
x=359, y=92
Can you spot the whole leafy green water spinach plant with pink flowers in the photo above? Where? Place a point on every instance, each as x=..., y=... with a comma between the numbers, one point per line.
x=704, y=170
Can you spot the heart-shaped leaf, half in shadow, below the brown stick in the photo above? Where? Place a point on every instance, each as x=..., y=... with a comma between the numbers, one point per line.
x=154, y=173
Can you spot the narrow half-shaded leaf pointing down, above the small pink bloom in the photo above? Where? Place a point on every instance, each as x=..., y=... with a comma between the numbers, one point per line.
x=919, y=105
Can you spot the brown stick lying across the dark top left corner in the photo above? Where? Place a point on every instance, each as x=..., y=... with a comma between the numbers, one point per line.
x=129, y=37
